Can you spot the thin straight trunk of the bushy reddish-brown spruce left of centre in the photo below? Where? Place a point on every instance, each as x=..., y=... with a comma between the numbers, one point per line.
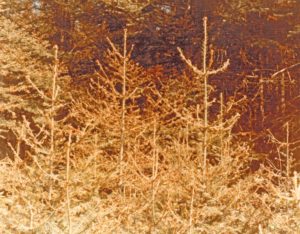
x=123, y=108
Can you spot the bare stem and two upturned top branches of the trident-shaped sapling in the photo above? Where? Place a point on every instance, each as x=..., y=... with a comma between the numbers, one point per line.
x=203, y=75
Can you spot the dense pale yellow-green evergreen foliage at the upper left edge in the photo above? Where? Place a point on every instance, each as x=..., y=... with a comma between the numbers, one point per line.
x=22, y=58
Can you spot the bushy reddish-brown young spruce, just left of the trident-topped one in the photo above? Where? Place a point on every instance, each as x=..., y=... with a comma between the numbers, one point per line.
x=116, y=107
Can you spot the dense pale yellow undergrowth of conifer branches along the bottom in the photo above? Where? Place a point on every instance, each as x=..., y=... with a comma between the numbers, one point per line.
x=177, y=199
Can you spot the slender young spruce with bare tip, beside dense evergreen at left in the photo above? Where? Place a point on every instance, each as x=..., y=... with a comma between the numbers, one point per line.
x=44, y=137
